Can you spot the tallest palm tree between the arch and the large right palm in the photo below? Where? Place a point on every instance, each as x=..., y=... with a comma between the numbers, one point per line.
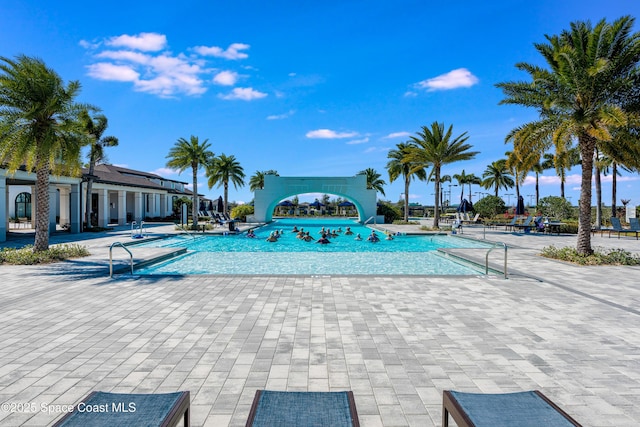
x=436, y=147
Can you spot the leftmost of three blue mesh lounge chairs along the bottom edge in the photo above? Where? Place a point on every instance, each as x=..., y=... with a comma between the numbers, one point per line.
x=119, y=409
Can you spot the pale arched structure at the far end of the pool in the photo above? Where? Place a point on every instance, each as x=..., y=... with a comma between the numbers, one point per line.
x=277, y=188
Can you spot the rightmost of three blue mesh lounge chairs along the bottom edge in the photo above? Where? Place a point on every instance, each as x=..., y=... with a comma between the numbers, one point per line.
x=522, y=409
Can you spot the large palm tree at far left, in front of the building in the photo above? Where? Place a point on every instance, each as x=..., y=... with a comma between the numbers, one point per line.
x=39, y=128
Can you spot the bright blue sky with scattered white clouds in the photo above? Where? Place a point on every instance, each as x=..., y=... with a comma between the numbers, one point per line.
x=305, y=88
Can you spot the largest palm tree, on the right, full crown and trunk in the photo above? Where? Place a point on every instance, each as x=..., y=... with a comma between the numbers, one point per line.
x=590, y=70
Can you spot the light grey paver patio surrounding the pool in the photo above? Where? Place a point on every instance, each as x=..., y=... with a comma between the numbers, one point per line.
x=397, y=342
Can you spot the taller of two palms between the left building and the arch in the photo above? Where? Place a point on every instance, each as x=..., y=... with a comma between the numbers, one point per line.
x=190, y=154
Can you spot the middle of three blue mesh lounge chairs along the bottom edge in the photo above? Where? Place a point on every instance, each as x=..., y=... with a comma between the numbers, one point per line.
x=281, y=408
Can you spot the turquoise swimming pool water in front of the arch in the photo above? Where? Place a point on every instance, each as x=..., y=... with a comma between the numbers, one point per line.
x=238, y=254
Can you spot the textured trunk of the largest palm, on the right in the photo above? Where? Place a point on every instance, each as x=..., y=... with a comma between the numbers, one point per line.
x=587, y=146
